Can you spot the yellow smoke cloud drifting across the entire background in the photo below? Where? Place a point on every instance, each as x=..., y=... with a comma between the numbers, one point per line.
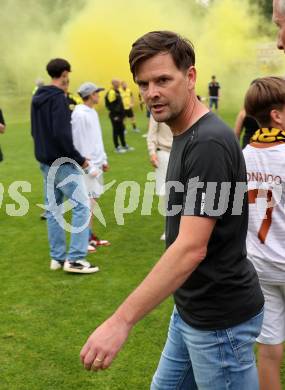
x=96, y=37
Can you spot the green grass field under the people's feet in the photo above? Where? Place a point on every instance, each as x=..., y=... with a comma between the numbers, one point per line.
x=46, y=316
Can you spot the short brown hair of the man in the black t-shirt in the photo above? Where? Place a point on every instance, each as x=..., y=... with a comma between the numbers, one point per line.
x=155, y=42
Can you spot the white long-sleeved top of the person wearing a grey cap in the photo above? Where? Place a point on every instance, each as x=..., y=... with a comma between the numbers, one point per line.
x=87, y=134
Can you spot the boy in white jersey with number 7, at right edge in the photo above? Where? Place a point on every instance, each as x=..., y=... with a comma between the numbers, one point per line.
x=265, y=162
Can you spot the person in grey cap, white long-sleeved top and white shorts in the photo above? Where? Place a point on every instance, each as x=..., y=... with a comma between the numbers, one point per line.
x=87, y=138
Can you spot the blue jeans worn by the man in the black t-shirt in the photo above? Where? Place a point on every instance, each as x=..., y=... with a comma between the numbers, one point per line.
x=208, y=360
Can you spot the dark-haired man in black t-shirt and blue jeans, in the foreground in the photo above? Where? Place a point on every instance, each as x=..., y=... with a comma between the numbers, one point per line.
x=218, y=308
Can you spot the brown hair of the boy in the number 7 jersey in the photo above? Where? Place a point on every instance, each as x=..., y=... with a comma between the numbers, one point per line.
x=264, y=95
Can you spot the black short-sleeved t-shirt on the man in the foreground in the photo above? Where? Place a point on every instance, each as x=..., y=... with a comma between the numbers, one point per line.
x=224, y=289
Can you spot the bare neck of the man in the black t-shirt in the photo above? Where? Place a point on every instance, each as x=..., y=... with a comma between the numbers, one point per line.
x=193, y=111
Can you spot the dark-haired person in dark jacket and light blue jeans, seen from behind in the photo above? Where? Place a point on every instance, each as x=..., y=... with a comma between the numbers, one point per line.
x=51, y=131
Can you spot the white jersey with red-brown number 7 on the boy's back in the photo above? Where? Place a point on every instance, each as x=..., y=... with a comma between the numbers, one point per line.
x=265, y=165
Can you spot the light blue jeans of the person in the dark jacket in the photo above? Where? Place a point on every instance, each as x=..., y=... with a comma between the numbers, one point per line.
x=76, y=192
